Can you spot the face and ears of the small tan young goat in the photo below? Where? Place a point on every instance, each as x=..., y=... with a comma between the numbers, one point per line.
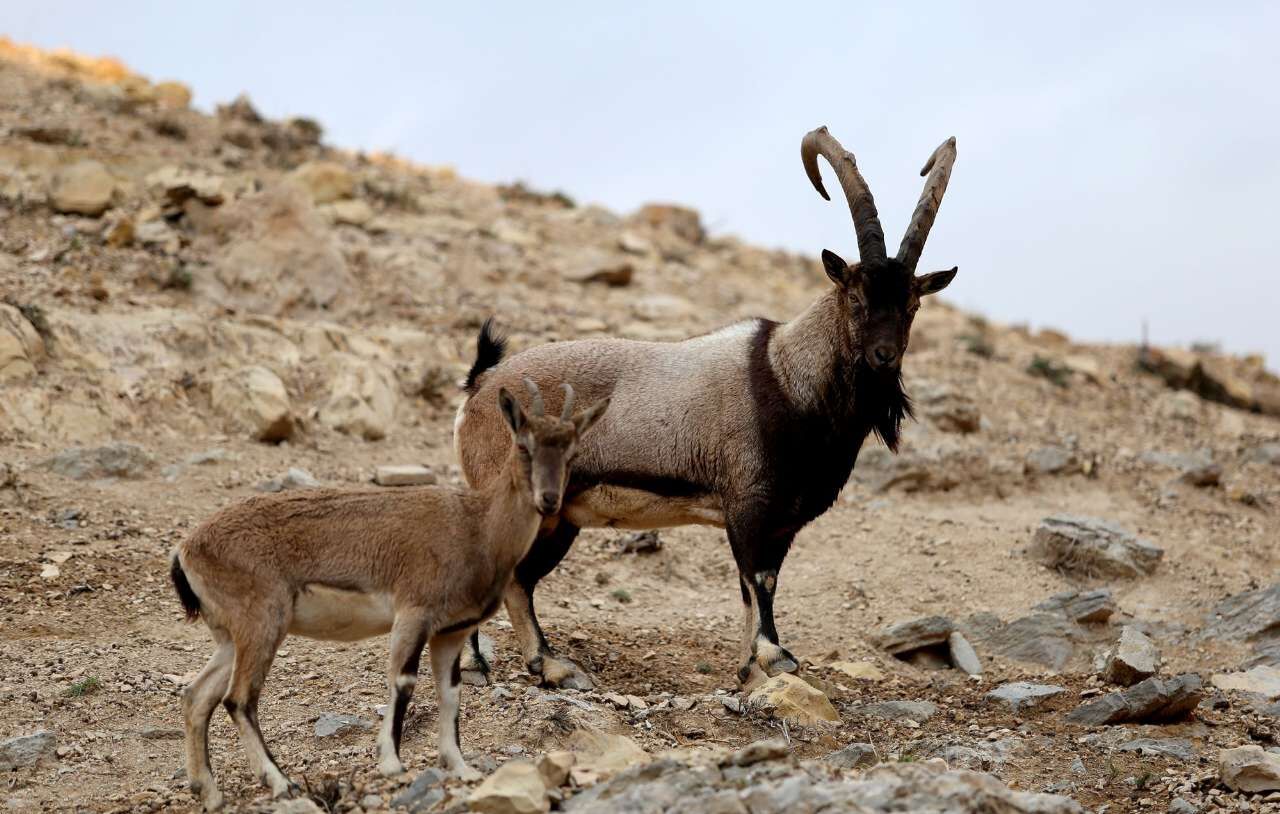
x=547, y=446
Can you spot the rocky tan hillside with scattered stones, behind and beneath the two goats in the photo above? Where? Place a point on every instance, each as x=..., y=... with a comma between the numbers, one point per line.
x=1057, y=588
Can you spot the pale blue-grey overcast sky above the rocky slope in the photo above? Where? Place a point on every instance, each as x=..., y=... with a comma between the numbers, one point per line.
x=1118, y=162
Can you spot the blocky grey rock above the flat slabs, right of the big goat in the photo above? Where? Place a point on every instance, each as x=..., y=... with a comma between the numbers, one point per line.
x=1090, y=547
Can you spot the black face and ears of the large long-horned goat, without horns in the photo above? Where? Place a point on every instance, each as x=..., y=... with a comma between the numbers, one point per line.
x=883, y=301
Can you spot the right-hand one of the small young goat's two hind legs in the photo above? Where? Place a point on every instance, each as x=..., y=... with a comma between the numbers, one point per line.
x=255, y=651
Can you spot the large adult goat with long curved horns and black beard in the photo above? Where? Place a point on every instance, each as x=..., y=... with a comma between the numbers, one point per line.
x=755, y=428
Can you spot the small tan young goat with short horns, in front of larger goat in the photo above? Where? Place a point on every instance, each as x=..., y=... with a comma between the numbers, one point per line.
x=428, y=565
